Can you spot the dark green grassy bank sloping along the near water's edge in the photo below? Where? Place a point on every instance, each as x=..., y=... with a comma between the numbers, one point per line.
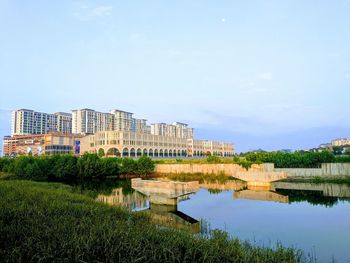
x=49, y=222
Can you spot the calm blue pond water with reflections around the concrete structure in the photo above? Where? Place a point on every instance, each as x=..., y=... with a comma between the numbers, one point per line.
x=313, y=217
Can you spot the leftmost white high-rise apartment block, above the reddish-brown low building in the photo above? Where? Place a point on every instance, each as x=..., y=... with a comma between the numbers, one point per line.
x=26, y=121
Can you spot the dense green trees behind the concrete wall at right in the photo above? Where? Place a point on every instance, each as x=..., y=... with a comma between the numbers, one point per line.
x=292, y=160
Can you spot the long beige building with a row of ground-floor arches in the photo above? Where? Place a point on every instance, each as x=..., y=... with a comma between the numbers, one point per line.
x=134, y=144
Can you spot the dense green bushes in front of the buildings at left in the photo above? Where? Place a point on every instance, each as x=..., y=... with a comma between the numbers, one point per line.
x=72, y=168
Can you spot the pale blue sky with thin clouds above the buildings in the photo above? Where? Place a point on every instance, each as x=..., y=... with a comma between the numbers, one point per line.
x=264, y=74
